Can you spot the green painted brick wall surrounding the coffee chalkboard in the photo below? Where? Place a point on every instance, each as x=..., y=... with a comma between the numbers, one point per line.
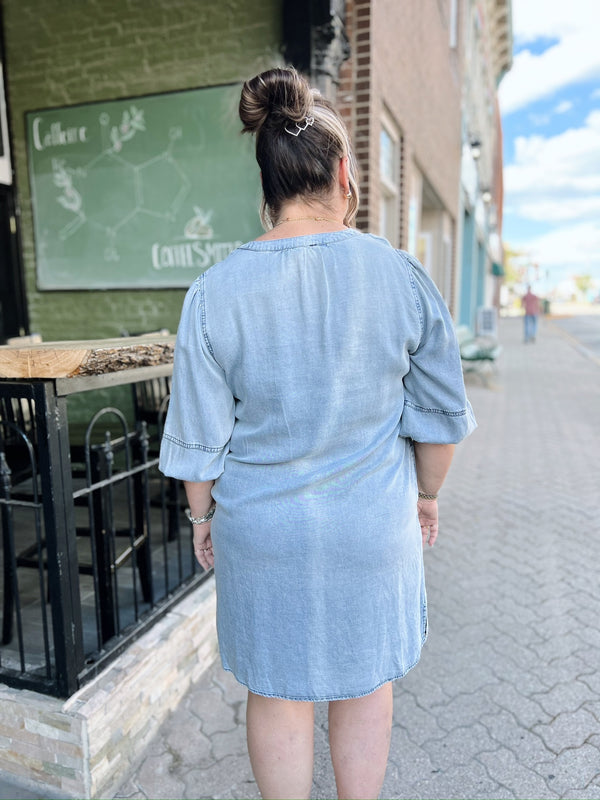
x=63, y=52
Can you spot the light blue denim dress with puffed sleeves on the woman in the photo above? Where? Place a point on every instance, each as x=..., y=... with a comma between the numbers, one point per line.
x=304, y=369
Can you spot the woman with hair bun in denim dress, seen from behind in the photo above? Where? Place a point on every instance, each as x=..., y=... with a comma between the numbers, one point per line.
x=317, y=395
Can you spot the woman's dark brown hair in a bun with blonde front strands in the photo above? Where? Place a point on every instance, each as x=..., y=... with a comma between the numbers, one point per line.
x=277, y=104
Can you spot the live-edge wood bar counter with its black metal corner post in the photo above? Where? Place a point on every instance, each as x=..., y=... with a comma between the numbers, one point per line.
x=48, y=373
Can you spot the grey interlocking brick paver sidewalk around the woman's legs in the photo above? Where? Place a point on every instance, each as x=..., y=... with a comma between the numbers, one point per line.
x=506, y=700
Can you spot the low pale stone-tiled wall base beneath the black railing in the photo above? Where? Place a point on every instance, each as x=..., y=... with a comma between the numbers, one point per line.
x=84, y=746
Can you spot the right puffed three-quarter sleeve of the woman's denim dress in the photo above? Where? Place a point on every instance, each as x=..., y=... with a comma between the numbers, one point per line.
x=436, y=409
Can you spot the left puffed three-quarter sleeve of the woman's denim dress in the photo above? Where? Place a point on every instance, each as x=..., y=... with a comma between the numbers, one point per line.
x=201, y=410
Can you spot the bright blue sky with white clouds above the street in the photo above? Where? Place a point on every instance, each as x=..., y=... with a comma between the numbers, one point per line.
x=550, y=106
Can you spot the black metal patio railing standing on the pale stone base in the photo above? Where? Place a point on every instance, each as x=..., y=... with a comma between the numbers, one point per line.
x=95, y=545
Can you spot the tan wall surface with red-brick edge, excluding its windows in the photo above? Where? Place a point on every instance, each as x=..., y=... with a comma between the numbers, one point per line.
x=402, y=63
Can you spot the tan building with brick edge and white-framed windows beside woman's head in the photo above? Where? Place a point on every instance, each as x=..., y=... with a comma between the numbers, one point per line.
x=401, y=93
